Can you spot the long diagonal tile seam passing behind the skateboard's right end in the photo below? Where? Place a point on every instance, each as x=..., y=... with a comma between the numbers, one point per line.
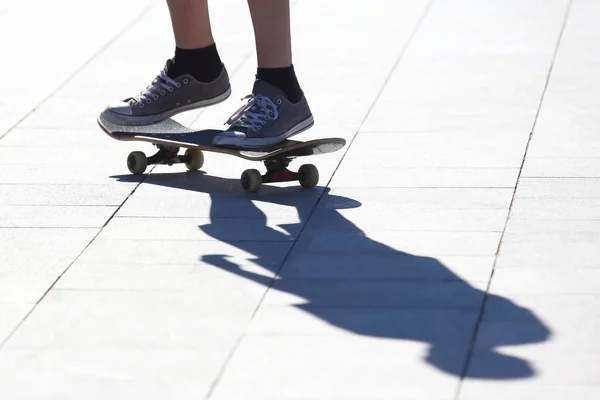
x=221, y=371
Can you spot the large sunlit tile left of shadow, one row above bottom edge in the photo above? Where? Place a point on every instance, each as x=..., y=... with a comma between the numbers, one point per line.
x=83, y=319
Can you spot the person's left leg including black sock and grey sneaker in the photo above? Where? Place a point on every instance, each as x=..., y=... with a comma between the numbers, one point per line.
x=194, y=78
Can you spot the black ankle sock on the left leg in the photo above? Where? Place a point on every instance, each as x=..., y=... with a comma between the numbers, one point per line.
x=203, y=64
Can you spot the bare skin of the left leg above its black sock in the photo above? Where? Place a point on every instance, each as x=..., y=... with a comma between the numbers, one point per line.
x=191, y=23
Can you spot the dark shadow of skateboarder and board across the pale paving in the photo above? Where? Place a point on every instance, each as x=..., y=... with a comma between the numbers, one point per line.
x=360, y=285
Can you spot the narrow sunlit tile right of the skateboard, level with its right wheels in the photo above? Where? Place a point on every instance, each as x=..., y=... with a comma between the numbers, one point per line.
x=350, y=177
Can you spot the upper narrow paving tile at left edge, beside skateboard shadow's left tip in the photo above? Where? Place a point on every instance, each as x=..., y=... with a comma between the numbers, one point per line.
x=63, y=195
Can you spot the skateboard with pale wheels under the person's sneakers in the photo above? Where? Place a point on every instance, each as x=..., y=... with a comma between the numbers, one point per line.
x=169, y=136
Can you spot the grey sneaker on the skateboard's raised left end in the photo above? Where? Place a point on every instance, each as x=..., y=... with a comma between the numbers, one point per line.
x=165, y=97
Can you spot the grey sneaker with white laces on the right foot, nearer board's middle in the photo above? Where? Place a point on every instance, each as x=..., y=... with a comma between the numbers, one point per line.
x=267, y=119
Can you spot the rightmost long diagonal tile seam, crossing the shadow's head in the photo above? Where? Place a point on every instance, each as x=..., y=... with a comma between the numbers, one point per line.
x=469, y=355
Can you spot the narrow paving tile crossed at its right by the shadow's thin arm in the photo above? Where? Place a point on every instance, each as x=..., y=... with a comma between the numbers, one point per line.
x=168, y=252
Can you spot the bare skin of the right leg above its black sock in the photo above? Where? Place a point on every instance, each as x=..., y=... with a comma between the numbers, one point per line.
x=271, y=20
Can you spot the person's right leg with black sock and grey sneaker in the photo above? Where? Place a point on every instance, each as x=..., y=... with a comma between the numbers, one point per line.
x=277, y=108
